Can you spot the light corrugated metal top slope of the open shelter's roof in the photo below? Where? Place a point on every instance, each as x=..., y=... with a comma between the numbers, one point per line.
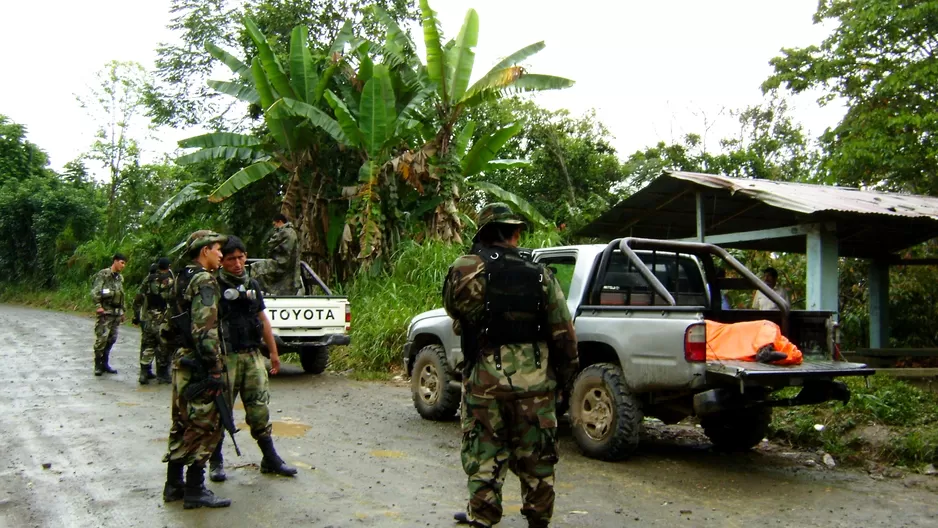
x=808, y=198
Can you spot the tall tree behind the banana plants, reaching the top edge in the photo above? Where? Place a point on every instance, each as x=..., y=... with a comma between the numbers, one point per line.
x=181, y=95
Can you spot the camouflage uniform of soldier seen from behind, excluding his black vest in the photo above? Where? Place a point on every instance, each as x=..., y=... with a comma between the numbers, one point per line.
x=508, y=405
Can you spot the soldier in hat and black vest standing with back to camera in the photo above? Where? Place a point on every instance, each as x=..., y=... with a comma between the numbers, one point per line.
x=520, y=349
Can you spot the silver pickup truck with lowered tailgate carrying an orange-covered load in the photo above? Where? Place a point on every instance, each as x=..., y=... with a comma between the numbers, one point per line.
x=640, y=307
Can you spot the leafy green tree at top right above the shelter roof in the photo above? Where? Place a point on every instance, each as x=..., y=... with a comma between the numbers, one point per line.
x=880, y=60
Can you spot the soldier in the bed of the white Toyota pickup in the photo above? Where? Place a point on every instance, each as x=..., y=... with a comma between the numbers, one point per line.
x=280, y=273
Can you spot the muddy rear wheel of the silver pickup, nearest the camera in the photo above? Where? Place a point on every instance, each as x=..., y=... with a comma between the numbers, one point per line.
x=606, y=418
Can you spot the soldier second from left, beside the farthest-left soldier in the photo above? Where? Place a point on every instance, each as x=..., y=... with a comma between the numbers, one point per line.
x=149, y=312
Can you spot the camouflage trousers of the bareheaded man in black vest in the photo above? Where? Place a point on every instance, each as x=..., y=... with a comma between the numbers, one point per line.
x=247, y=377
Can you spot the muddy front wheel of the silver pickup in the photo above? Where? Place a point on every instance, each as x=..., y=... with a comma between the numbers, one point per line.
x=434, y=397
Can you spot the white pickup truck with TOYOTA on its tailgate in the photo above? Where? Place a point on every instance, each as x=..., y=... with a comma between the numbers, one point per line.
x=309, y=324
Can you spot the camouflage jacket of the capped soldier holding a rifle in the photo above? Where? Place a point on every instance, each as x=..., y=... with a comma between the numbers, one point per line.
x=201, y=298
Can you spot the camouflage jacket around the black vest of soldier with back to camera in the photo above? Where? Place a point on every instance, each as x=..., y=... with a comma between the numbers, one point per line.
x=463, y=298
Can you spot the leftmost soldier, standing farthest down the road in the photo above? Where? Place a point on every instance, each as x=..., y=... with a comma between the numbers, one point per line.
x=107, y=290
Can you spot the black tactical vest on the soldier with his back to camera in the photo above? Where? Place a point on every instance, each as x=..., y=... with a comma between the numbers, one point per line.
x=515, y=304
